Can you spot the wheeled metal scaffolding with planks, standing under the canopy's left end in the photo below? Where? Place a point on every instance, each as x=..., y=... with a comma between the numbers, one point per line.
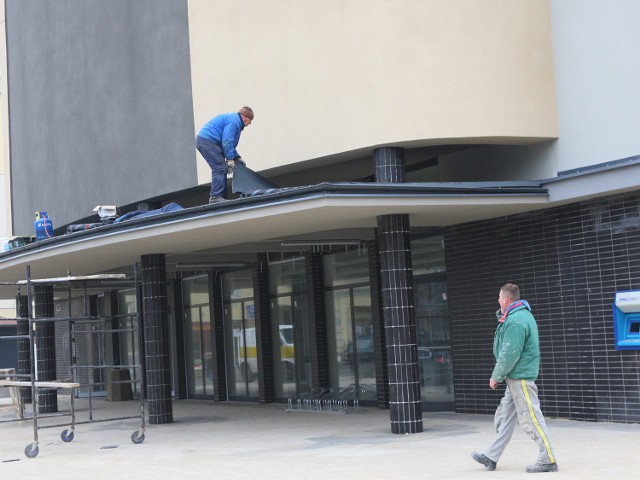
x=84, y=329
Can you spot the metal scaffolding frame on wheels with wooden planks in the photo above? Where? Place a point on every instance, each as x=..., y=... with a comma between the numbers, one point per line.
x=17, y=381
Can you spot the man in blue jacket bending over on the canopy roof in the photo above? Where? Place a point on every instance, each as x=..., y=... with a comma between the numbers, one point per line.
x=218, y=140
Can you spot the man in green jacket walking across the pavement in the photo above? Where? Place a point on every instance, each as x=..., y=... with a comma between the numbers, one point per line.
x=516, y=348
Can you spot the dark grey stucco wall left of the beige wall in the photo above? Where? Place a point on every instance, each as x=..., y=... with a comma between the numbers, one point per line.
x=100, y=104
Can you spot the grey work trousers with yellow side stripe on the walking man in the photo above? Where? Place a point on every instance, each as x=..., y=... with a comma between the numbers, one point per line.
x=520, y=404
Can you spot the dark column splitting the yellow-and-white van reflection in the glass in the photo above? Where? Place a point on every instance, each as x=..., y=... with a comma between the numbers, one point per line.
x=264, y=342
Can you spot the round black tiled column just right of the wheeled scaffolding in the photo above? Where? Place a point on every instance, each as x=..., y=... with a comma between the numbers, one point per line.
x=158, y=378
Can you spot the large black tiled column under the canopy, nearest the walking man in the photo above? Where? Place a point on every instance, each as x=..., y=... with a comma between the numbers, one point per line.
x=400, y=323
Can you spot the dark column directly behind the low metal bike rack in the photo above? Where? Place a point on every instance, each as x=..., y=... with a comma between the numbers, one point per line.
x=317, y=321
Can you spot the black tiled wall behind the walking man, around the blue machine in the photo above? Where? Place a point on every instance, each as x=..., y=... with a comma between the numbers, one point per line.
x=568, y=261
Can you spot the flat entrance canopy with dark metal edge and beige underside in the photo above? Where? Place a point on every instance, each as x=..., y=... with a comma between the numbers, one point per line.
x=261, y=223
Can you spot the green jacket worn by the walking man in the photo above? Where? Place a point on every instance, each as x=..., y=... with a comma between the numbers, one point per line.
x=516, y=346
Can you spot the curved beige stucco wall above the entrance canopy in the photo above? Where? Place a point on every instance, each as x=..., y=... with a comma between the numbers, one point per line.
x=328, y=77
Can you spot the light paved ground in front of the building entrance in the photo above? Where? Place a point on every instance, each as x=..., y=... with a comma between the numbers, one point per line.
x=242, y=441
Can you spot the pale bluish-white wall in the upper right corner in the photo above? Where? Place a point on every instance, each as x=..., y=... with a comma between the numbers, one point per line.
x=597, y=69
